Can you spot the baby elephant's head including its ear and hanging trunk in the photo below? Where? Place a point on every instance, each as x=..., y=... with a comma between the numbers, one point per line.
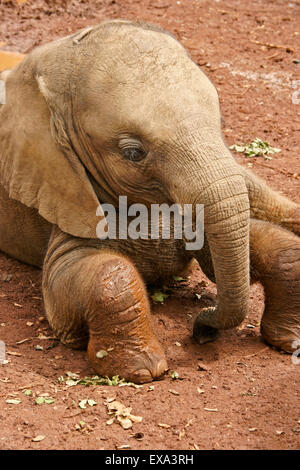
x=121, y=109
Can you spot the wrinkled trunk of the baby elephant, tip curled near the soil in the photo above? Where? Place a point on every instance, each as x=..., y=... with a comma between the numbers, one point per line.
x=217, y=183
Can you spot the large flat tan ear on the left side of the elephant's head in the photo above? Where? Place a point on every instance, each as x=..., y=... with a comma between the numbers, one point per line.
x=38, y=165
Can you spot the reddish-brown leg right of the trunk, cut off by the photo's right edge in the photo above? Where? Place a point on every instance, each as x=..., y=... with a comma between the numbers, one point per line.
x=275, y=260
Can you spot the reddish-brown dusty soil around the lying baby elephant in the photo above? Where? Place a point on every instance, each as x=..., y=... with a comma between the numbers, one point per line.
x=236, y=393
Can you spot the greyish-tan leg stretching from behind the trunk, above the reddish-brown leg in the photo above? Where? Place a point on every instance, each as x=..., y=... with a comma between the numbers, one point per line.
x=268, y=205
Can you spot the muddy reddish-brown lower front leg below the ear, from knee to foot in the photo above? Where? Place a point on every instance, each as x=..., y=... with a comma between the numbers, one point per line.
x=122, y=341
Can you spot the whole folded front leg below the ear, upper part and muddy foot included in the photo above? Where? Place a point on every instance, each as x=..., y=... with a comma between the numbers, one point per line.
x=97, y=297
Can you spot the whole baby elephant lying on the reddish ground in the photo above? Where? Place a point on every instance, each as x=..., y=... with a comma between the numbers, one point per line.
x=116, y=110
